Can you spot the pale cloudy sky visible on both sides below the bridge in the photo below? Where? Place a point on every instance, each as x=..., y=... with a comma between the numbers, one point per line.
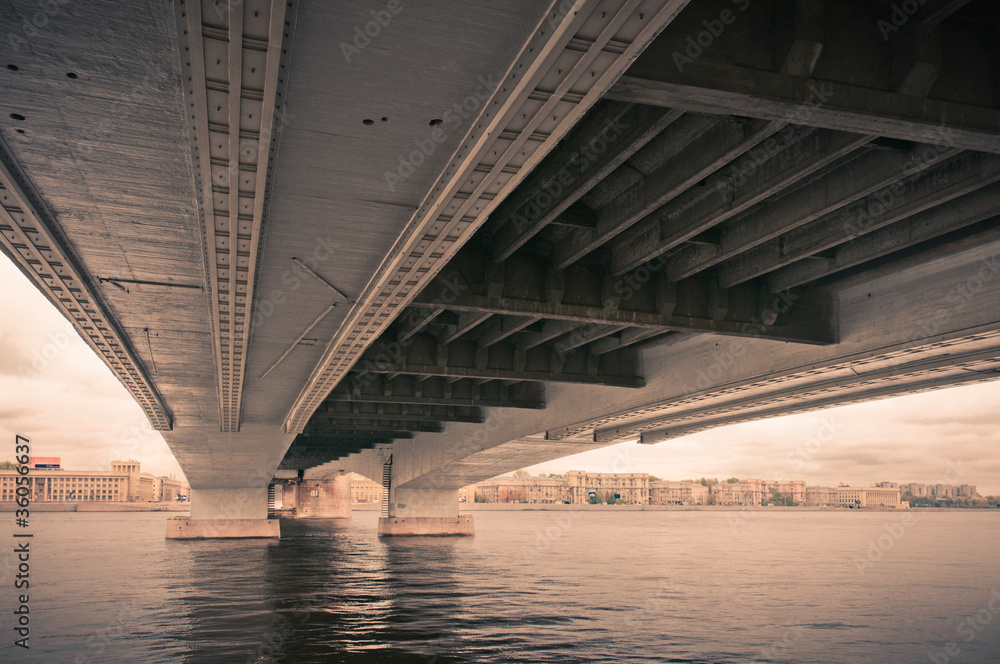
x=57, y=392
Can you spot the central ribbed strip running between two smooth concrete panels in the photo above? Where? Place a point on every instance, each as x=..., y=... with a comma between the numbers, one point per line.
x=234, y=161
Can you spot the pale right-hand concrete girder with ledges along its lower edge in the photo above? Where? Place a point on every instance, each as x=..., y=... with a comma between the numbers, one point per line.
x=917, y=327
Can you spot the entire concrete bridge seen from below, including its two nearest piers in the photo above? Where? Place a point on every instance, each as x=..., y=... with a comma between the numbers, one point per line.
x=311, y=237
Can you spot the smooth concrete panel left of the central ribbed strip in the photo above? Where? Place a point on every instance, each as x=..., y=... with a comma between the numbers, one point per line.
x=107, y=151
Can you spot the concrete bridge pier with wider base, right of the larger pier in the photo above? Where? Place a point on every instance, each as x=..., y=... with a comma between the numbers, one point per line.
x=425, y=512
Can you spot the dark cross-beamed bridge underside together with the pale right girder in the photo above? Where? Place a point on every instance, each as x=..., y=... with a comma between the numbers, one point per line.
x=698, y=243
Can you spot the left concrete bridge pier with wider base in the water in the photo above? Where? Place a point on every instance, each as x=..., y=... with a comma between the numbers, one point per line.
x=225, y=513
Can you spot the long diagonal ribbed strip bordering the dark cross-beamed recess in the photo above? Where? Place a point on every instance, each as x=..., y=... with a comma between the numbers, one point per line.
x=499, y=152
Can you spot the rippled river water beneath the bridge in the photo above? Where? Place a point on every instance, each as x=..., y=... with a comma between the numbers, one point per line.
x=684, y=586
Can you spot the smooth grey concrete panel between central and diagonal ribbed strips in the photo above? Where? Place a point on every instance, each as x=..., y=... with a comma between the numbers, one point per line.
x=331, y=205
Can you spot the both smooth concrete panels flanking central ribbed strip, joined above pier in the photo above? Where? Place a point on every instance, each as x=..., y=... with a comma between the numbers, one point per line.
x=110, y=153
